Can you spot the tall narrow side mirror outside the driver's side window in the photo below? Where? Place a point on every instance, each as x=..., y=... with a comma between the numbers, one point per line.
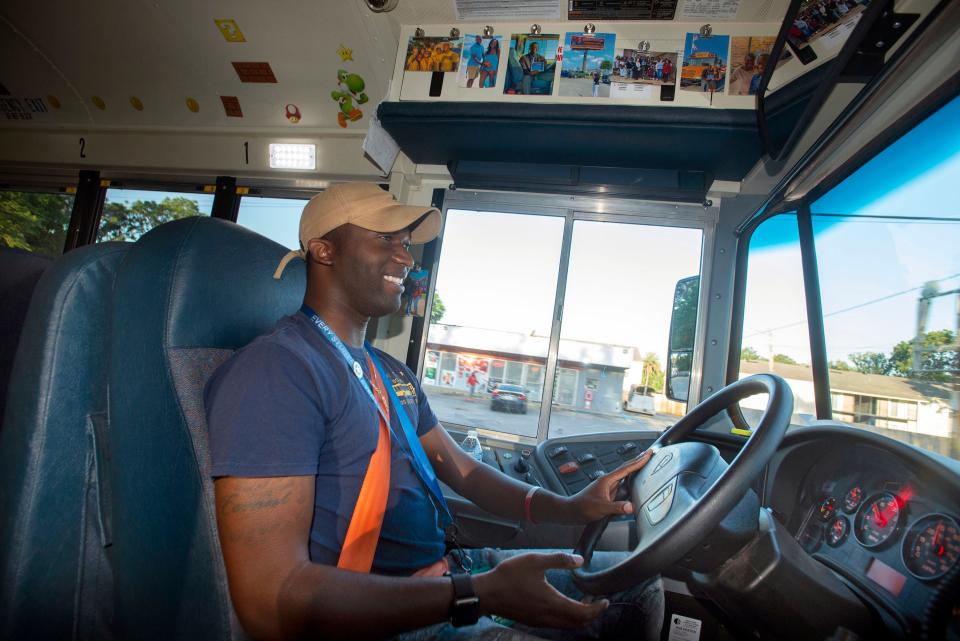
x=683, y=329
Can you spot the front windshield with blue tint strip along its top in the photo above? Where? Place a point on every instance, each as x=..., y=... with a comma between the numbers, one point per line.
x=887, y=242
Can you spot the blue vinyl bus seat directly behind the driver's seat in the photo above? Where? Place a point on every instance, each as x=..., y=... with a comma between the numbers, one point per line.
x=55, y=580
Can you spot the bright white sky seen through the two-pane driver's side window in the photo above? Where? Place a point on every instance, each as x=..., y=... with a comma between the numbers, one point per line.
x=499, y=271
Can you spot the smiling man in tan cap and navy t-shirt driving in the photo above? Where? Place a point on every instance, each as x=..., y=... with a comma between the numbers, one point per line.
x=327, y=457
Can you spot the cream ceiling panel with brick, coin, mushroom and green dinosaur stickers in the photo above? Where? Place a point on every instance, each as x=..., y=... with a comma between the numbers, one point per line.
x=117, y=63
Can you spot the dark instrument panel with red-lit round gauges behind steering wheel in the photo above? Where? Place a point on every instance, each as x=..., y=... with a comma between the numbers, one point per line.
x=880, y=514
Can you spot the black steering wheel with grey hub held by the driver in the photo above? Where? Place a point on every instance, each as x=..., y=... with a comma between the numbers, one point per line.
x=686, y=489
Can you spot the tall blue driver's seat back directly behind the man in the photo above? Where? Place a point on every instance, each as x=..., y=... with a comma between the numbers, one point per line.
x=192, y=291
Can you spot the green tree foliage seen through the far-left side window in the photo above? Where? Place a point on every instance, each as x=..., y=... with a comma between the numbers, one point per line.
x=35, y=222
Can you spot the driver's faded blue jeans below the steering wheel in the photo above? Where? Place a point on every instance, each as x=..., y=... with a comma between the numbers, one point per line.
x=635, y=613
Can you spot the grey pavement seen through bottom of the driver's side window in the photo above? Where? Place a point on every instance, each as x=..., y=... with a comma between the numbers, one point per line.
x=456, y=408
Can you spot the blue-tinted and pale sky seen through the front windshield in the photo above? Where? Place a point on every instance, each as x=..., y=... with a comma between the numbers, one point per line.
x=874, y=264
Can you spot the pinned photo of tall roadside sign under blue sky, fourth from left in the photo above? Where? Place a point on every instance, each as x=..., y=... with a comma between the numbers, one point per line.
x=587, y=64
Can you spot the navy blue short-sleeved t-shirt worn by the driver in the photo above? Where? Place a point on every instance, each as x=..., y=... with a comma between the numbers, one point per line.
x=287, y=405
